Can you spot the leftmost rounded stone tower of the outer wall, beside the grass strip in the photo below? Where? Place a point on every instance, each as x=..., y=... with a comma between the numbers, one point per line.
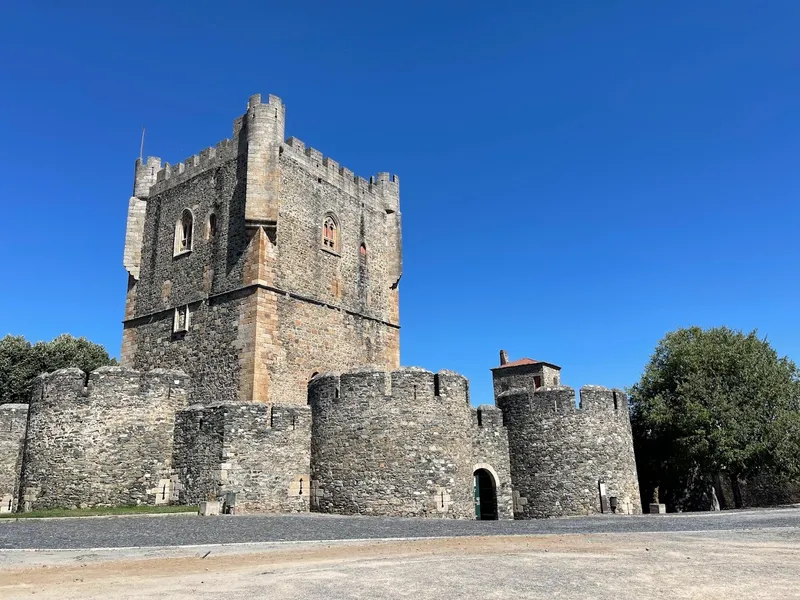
x=105, y=444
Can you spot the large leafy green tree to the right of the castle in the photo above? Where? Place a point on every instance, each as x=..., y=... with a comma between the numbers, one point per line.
x=710, y=403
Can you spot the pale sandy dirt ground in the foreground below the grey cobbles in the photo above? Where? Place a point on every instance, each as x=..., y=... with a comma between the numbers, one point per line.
x=722, y=564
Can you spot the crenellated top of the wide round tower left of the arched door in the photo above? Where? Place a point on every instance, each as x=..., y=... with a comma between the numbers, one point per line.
x=369, y=387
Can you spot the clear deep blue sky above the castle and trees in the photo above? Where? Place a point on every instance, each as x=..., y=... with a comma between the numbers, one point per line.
x=577, y=178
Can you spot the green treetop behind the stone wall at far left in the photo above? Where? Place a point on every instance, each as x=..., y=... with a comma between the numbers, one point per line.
x=21, y=362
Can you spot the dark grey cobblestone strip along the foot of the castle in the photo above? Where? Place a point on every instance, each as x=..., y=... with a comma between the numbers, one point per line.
x=179, y=530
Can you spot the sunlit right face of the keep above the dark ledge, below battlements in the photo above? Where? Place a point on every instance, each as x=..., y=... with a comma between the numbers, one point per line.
x=360, y=284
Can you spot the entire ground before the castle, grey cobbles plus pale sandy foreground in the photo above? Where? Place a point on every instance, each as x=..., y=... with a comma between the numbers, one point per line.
x=737, y=554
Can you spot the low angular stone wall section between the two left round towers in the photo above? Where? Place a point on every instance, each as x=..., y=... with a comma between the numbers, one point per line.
x=258, y=451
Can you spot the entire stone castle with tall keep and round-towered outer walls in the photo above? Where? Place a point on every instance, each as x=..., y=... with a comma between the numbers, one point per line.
x=260, y=367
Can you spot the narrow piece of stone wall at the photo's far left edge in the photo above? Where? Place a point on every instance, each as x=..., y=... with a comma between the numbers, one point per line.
x=13, y=421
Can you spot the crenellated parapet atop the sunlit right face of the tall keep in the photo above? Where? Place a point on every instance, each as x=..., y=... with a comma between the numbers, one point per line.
x=383, y=186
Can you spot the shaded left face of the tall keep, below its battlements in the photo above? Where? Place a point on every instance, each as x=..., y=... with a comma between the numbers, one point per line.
x=205, y=279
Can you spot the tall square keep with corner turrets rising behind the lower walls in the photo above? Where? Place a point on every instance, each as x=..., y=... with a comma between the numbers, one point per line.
x=258, y=263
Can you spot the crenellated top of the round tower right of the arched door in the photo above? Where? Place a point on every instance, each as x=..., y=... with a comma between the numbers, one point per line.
x=561, y=400
